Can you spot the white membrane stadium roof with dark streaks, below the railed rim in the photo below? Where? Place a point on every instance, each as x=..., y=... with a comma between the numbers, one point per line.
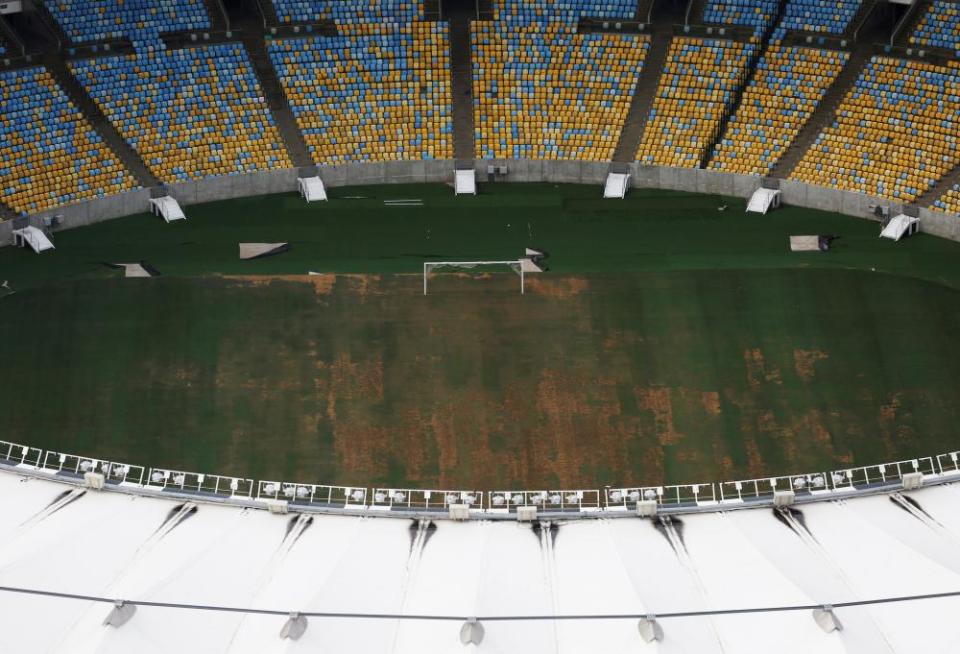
x=213, y=575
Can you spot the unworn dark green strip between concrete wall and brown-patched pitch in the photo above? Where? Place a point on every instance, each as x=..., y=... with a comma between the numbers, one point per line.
x=355, y=233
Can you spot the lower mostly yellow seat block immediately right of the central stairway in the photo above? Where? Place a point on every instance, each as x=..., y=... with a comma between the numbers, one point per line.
x=545, y=92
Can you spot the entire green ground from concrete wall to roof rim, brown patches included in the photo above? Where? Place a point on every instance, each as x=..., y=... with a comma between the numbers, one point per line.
x=669, y=342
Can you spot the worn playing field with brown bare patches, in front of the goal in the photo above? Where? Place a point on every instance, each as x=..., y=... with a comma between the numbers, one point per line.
x=588, y=379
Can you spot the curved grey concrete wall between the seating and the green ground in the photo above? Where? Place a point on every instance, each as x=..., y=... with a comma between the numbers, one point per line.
x=518, y=170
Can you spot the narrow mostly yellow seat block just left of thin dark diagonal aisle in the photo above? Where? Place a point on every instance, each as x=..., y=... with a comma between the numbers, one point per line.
x=698, y=84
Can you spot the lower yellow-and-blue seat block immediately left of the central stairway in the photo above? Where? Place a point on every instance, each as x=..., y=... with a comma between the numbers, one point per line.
x=377, y=92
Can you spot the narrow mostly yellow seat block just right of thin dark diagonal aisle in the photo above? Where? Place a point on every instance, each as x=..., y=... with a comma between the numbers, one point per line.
x=783, y=93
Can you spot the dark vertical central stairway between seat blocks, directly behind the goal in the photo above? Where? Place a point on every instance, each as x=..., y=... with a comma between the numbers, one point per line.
x=461, y=77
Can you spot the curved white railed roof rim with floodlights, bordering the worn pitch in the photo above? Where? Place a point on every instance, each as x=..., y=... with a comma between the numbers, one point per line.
x=463, y=504
